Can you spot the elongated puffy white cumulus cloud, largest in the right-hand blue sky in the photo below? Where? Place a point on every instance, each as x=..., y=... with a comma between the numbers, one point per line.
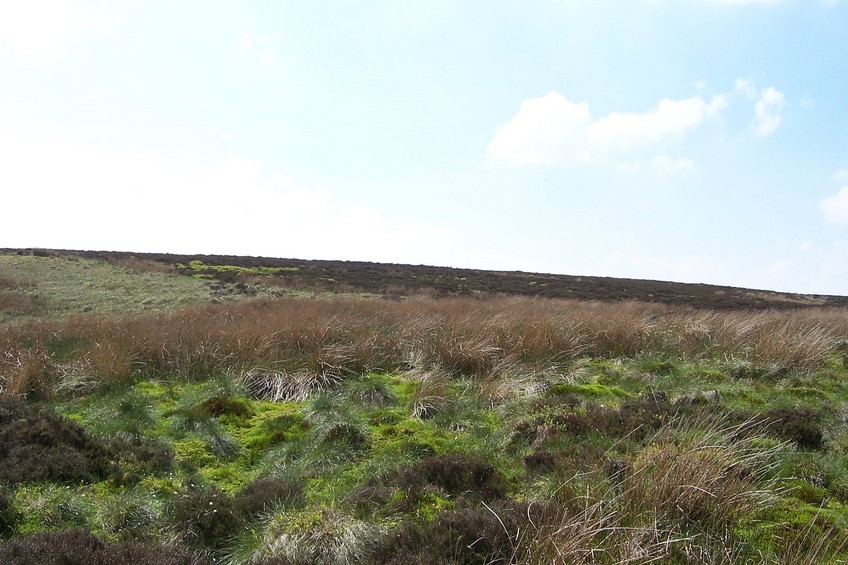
x=552, y=130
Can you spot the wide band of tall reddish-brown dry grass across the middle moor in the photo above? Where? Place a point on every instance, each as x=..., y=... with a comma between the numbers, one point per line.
x=338, y=337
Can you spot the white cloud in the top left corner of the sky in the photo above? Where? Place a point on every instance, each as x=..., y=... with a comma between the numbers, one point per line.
x=43, y=30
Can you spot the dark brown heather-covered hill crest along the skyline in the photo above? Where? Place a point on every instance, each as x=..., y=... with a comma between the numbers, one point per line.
x=397, y=280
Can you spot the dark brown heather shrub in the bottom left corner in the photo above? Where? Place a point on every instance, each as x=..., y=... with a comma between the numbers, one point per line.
x=81, y=547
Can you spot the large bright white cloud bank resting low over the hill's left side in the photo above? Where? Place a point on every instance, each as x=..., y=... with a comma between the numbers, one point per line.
x=89, y=197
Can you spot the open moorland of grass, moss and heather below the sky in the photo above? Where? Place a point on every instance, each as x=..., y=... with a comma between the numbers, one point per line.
x=196, y=411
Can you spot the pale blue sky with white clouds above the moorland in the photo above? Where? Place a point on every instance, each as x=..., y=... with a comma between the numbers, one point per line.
x=685, y=140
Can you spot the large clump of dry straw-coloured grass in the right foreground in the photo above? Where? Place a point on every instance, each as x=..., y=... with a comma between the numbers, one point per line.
x=677, y=501
